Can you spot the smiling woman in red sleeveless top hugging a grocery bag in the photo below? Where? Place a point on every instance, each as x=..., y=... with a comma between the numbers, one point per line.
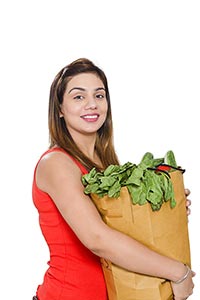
x=80, y=128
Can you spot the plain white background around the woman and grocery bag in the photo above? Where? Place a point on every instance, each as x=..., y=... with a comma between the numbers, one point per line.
x=150, y=51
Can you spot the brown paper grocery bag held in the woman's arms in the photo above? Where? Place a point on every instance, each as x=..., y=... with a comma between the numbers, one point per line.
x=165, y=231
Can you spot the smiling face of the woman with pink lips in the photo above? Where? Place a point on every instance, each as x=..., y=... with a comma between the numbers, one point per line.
x=84, y=106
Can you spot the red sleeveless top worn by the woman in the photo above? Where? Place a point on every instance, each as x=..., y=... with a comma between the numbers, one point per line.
x=74, y=272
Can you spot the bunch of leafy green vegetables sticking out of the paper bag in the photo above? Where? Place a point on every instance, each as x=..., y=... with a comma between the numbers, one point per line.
x=147, y=182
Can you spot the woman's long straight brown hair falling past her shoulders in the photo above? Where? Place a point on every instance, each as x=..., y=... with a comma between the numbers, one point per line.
x=58, y=132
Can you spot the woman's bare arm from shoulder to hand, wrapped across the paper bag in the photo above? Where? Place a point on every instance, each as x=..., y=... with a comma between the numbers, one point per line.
x=58, y=176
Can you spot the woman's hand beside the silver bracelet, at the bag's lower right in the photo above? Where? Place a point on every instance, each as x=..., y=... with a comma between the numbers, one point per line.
x=183, y=289
